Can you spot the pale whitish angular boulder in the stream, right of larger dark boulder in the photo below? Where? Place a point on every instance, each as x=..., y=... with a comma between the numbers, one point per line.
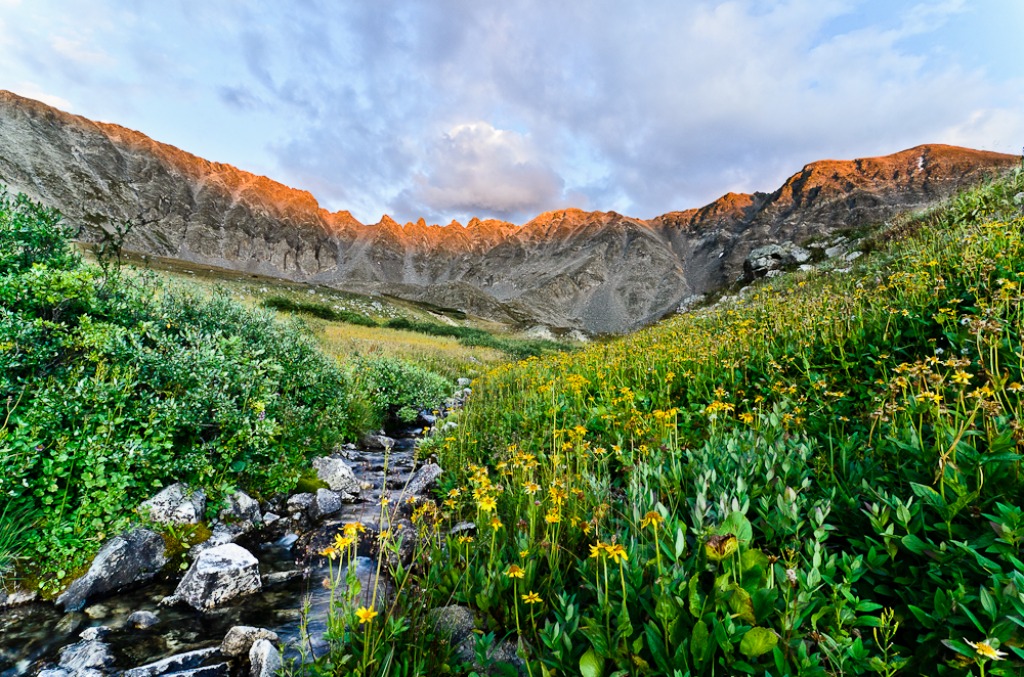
x=219, y=576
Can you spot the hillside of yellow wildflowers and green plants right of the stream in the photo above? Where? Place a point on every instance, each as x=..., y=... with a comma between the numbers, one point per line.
x=821, y=479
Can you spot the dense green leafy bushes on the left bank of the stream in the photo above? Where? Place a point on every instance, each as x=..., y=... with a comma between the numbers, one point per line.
x=114, y=386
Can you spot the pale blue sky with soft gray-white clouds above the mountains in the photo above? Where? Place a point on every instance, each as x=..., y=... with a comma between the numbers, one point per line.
x=454, y=109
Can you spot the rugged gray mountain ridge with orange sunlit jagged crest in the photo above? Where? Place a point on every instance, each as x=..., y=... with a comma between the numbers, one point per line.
x=599, y=272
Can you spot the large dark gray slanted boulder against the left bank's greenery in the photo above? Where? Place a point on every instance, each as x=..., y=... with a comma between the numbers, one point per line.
x=124, y=561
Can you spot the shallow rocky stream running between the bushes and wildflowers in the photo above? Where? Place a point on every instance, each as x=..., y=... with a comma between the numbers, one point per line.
x=32, y=636
